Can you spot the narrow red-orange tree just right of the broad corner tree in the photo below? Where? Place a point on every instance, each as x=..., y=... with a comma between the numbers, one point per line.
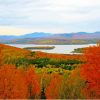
x=33, y=83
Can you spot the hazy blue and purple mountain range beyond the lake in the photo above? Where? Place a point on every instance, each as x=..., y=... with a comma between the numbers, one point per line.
x=49, y=38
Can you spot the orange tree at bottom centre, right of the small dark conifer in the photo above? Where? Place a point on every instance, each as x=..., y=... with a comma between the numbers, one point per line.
x=53, y=90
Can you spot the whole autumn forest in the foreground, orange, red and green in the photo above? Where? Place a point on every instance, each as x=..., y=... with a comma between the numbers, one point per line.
x=37, y=75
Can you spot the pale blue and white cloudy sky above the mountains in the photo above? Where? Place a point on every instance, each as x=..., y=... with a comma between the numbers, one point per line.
x=56, y=16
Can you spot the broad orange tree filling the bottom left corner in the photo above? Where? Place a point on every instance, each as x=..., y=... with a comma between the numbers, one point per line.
x=12, y=83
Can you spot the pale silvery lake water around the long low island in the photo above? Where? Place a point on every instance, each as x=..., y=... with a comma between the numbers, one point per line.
x=60, y=49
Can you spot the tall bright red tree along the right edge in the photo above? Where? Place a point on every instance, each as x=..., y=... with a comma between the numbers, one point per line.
x=91, y=72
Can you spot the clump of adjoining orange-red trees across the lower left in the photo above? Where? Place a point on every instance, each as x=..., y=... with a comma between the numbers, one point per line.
x=14, y=83
